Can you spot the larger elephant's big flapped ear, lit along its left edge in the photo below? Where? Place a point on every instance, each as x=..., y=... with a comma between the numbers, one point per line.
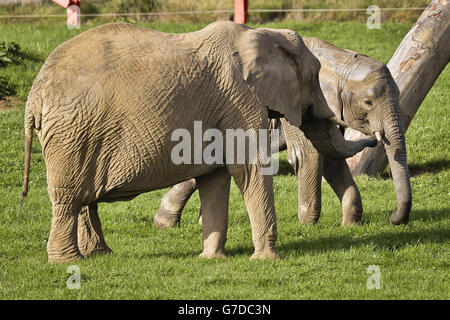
x=271, y=72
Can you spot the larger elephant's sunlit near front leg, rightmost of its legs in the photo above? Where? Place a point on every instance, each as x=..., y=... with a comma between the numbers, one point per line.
x=257, y=191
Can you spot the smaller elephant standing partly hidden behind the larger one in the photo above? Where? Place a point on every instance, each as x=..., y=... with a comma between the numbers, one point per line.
x=363, y=95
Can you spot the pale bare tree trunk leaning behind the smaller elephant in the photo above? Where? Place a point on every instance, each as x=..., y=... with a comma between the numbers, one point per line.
x=415, y=66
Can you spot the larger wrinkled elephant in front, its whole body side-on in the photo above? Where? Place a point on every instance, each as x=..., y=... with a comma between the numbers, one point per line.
x=106, y=103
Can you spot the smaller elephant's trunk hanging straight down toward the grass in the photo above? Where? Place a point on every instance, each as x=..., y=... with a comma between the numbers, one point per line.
x=394, y=144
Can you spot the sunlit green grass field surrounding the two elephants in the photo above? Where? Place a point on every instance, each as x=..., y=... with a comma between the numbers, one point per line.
x=323, y=261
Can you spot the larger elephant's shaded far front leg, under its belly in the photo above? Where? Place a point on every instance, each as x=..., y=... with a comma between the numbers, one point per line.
x=214, y=190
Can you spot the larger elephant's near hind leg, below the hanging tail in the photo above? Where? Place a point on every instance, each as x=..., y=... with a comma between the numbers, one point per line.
x=62, y=244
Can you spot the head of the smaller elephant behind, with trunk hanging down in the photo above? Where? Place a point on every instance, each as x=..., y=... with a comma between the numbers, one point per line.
x=362, y=93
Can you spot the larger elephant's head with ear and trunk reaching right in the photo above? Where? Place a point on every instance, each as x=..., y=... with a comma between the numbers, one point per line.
x=284, y=75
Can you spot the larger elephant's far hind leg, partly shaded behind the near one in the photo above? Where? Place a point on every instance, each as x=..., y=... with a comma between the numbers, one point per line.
x=90, y=235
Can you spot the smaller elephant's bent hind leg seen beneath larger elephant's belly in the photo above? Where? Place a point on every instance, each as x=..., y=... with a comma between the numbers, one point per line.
x=172, y=204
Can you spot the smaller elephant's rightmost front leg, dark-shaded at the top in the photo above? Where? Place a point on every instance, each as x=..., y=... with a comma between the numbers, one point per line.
x=338, y=175
